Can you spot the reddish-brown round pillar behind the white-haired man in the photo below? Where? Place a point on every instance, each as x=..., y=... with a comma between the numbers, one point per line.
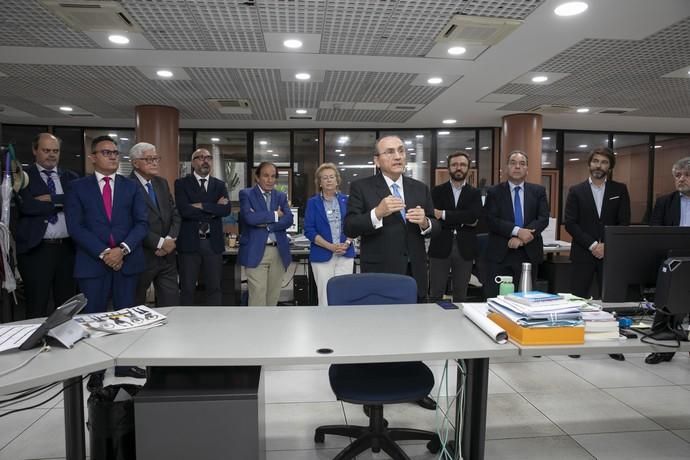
x=159, y=125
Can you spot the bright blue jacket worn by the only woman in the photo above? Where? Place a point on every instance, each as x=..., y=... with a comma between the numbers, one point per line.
x=316, y=223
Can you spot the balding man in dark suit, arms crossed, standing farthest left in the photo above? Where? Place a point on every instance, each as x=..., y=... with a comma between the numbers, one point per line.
x=45, y=252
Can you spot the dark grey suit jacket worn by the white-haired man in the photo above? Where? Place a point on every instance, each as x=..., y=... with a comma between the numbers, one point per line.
x=164, y=220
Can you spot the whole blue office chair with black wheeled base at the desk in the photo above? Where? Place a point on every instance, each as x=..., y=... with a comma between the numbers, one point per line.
x=376, y=384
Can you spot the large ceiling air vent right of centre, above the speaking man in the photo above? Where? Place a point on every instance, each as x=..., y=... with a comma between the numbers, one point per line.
x=476, y=30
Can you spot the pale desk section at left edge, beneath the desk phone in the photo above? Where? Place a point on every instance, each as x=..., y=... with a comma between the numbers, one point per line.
x=51, y=366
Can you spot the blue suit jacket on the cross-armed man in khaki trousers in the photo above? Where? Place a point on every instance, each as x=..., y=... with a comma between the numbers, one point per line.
x=257, y=220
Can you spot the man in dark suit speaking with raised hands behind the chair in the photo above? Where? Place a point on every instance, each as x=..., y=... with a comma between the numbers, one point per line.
x=392, y=214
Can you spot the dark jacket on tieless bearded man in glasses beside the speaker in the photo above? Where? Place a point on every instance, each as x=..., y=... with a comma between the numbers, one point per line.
x=461, y=217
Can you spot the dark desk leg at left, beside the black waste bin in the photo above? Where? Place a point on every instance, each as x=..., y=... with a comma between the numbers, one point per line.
x=74, y=419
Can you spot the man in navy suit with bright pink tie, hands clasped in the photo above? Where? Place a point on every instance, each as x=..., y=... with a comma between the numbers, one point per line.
x=108, y=220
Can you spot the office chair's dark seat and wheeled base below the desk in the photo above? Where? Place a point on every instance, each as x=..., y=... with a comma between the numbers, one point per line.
x=374, y=385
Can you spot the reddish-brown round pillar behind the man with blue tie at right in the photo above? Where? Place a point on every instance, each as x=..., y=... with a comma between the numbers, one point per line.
x=522, y=131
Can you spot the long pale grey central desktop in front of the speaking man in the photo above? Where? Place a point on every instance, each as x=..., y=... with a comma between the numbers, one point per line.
x=223, y=336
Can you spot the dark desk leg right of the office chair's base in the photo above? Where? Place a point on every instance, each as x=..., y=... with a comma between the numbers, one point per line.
x=474, y=427
